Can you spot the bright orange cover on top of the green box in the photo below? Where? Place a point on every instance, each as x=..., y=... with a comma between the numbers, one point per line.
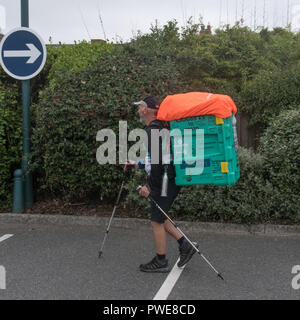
x=194, y=104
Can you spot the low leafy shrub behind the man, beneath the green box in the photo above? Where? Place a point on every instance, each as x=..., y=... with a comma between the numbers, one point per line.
x=248, y=201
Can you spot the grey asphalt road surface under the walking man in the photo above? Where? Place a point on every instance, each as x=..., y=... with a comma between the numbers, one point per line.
x=61, y=262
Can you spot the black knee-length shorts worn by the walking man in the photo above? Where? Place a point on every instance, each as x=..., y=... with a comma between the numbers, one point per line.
x=164, y=202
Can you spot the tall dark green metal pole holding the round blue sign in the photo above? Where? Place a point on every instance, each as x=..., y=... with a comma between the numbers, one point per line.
x=28, y=198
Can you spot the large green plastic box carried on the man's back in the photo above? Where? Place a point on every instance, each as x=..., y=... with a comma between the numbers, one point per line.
x=214, y=161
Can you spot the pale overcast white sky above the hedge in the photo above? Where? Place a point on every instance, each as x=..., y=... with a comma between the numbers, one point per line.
x=69, y=20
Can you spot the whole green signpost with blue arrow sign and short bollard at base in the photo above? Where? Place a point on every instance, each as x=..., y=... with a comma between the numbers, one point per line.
x=22, y=56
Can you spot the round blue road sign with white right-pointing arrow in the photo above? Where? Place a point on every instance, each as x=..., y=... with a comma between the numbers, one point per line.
x=22, y=53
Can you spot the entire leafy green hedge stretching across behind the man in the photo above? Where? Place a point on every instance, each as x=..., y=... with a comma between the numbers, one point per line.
x=91, y=87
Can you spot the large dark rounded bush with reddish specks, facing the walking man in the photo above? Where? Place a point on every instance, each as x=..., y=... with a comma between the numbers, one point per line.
x=69, y=117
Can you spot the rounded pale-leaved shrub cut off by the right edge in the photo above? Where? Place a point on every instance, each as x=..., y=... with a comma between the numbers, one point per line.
x=280, y=147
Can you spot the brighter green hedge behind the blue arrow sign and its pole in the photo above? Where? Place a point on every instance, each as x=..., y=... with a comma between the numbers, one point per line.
x=66, y=58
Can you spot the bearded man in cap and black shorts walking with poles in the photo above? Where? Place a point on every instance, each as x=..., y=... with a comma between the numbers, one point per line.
x=148, y=109
